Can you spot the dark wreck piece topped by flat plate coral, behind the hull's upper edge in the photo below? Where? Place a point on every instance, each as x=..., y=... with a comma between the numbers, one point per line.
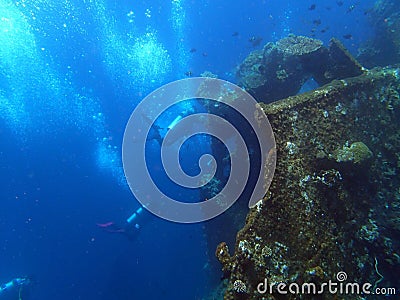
x=281, y=68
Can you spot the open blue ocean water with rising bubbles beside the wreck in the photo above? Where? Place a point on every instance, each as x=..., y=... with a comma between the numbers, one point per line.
x=71, y=73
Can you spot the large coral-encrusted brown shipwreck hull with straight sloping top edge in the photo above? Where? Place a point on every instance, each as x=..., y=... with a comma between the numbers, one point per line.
x=334, y=203
